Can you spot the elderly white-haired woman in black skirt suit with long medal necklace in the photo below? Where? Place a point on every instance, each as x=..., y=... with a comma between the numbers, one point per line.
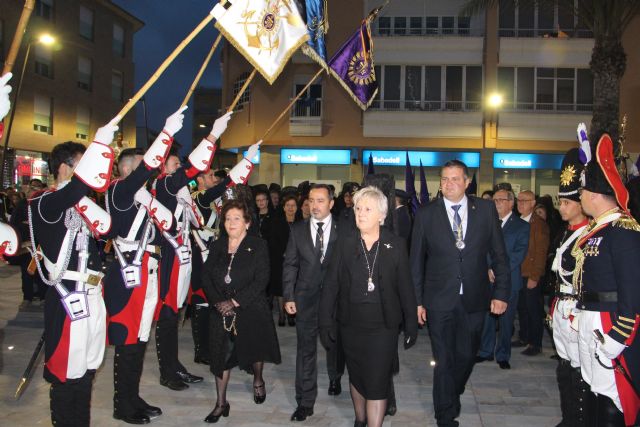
x=368, y=292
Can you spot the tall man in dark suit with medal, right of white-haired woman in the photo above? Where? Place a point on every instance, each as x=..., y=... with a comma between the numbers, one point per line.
x=452, y=238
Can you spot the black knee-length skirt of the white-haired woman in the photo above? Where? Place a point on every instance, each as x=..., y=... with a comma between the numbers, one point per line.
x=370, y=351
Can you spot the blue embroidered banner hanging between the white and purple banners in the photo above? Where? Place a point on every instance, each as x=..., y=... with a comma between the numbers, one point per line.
x=315, y=15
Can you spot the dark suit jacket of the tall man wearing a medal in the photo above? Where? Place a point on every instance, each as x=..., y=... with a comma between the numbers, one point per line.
x=438, y=267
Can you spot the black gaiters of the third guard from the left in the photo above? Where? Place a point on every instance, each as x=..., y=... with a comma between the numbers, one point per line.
x=167, y=347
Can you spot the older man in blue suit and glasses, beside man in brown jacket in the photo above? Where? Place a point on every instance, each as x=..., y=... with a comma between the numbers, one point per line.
x=516, y=240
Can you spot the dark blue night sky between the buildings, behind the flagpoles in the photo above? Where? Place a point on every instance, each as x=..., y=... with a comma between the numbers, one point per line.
x=167, y=23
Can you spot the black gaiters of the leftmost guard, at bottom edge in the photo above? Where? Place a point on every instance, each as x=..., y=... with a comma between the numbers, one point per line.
x=70, y=402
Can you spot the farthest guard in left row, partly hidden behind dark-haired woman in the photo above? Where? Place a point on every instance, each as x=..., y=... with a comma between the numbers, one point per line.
x=206, y=197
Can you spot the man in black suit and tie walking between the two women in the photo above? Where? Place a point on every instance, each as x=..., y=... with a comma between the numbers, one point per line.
x=310, y=243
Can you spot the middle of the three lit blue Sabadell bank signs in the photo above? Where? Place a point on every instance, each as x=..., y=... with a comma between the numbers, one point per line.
x=428, y=158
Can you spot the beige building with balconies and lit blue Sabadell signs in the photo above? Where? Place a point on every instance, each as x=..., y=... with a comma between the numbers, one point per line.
x=435, y=70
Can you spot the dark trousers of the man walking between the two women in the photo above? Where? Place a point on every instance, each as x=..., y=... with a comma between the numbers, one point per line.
x=307, y=362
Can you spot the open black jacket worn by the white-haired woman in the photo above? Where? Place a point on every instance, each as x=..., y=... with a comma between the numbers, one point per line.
x=394, y=282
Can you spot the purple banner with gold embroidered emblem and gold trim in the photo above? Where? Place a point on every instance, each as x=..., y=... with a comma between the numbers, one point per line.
x=353, y=66
